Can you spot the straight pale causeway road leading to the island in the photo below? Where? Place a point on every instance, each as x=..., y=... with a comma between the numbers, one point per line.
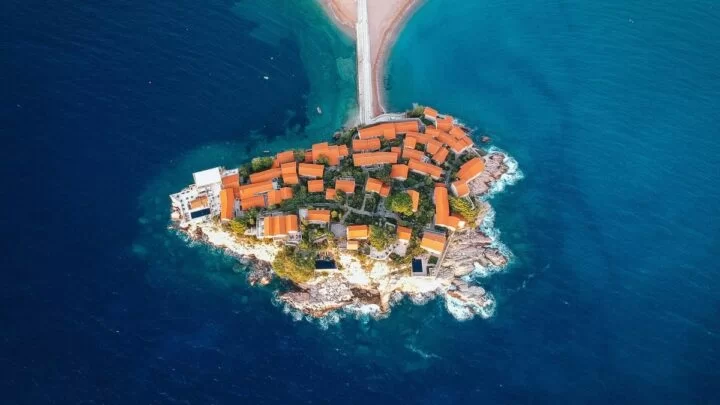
x=364, y=71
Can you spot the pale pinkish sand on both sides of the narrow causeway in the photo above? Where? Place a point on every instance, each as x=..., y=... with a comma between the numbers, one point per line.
x=386, y=19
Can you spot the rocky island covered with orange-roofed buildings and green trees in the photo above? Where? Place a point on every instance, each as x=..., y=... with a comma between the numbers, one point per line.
x=384, y=211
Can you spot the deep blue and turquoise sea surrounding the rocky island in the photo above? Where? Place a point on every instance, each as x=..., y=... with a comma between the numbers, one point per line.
x=610, y=109
